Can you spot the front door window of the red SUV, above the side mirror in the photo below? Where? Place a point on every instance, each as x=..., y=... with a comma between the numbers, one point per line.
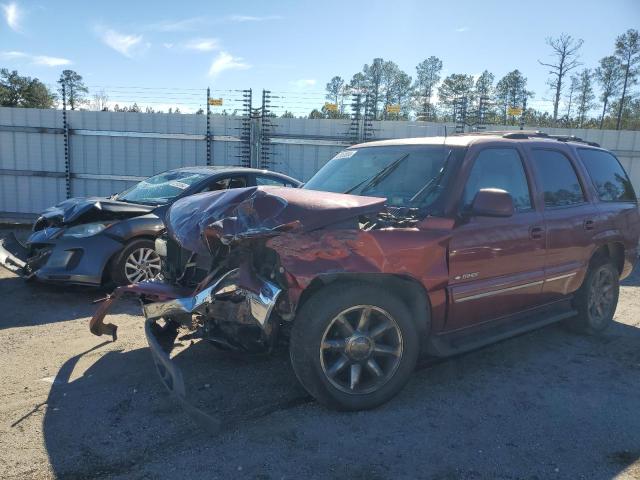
x=499, y=168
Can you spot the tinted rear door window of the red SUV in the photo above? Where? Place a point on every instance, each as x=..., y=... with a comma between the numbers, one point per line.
x=558, y=178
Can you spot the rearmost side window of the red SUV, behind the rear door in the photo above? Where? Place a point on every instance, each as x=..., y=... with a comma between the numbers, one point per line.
x=608, y=176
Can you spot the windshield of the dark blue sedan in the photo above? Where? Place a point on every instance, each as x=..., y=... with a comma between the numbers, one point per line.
x=160, y=188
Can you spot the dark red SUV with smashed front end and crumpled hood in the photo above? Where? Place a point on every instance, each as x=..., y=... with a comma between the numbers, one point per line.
x=393, y=249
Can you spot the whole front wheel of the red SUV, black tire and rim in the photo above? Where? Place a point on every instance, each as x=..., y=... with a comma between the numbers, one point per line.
x=353, y=346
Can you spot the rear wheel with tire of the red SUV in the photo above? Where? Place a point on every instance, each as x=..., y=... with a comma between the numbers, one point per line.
x=589, y=319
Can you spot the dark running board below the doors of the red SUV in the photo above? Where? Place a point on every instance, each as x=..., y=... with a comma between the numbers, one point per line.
x=472, y=338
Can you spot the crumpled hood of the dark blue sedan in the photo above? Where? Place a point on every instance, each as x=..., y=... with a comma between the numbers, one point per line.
x=93, y=209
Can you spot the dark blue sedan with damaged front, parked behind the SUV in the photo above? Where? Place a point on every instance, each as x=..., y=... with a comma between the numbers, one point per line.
x=93, y=241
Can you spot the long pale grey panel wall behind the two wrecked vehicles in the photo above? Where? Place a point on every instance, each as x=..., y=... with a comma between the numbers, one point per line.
x=111, y=150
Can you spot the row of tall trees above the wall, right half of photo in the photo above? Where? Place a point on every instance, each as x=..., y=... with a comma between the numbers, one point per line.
x=583, y=97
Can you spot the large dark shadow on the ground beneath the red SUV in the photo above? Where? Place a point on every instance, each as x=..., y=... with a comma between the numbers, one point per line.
x=544, y=405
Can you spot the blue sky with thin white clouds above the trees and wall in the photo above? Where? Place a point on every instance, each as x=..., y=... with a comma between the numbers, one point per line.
x=292, y=45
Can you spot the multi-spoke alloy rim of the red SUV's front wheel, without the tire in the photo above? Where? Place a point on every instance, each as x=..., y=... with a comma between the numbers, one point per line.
x=361, y=349
